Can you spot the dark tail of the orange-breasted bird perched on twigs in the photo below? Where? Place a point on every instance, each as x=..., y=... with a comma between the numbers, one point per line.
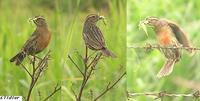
x=18, y=58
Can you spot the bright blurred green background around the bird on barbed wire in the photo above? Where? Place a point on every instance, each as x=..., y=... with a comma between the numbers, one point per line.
x=142, y=65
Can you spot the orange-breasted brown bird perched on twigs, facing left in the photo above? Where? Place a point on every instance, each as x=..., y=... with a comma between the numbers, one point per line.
x=36, y=43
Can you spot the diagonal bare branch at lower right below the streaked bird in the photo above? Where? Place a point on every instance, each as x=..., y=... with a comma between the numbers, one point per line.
x=109, y=87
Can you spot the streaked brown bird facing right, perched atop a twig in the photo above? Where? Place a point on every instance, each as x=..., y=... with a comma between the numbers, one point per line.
x=93, y=36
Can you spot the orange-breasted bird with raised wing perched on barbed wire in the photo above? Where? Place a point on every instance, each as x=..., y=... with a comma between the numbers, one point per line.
x=169, y=34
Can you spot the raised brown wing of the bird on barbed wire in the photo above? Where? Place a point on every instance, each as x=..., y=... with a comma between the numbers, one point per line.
x=179, y=34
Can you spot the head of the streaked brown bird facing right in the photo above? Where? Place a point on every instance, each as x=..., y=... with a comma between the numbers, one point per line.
x=93, y=18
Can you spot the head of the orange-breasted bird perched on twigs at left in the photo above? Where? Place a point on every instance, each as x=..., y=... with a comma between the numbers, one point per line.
x=39, y=21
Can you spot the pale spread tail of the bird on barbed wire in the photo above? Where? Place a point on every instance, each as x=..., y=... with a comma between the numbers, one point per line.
x=167, y=68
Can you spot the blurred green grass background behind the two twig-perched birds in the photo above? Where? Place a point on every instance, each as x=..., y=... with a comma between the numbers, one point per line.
x=65, y=19
